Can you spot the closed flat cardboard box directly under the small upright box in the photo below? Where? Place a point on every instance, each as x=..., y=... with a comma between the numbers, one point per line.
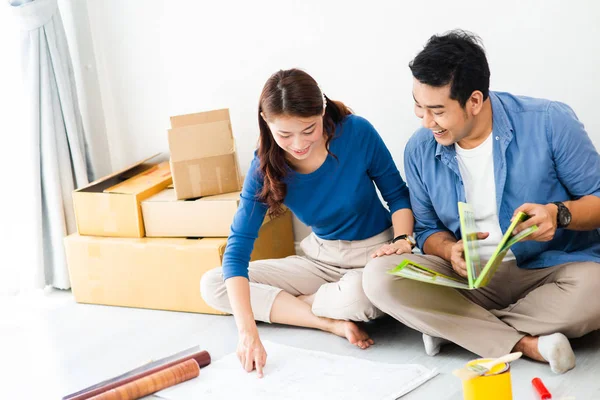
x=210, y=216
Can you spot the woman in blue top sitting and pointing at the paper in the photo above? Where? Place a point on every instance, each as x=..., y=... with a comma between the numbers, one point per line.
x=318, y=159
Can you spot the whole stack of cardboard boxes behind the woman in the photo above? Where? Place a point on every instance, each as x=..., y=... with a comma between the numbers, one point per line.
x=140, y=245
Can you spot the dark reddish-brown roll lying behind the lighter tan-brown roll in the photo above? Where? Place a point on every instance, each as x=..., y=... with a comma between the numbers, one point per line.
x=201, y=357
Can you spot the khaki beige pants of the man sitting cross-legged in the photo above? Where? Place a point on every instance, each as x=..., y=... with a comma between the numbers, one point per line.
x=489, y=321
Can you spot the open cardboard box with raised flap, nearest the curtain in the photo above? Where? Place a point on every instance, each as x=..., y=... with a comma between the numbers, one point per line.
x=111, y=206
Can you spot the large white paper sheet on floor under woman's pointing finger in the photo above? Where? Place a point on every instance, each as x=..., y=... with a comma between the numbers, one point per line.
x=293, y=373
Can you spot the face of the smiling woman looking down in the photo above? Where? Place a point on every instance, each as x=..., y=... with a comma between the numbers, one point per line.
x=299, y=137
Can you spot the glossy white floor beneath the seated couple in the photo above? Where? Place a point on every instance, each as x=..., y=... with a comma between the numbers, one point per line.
x=51, y=346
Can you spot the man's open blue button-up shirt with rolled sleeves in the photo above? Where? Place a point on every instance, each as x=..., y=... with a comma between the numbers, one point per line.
x=542, y=154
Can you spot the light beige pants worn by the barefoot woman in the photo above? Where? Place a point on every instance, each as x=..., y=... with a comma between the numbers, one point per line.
x=330, y=268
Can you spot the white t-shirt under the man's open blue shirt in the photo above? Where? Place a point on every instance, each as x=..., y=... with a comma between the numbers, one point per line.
x=476, y=167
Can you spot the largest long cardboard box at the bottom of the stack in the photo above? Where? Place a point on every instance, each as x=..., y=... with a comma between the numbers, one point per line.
x=160, y=273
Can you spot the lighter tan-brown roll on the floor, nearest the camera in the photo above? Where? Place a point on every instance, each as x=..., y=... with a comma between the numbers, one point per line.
x=152, y=383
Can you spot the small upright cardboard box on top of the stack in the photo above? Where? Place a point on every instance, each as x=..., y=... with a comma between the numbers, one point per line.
x=203, y=158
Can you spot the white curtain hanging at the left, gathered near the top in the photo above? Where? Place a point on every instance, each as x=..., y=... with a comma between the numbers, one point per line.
x=57, y=153
